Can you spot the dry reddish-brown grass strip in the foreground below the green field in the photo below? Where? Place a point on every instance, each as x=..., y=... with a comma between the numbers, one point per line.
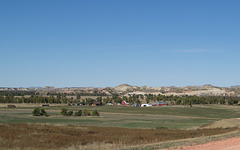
x=42, y=136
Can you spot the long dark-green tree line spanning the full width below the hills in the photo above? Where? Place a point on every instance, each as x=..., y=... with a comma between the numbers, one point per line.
x=132, y=99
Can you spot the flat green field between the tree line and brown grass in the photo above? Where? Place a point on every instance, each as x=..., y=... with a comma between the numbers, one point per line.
x=128, y=117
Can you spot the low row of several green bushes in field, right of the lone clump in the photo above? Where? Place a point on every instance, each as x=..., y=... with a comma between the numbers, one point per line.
x=86, y=112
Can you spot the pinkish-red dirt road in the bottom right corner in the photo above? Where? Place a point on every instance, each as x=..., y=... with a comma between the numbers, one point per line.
x=228, y=144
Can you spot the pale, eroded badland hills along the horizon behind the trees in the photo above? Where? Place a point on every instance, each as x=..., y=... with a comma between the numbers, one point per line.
x=126, y=89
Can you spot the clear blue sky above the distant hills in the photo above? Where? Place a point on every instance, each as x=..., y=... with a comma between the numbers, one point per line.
x=100, y=43
